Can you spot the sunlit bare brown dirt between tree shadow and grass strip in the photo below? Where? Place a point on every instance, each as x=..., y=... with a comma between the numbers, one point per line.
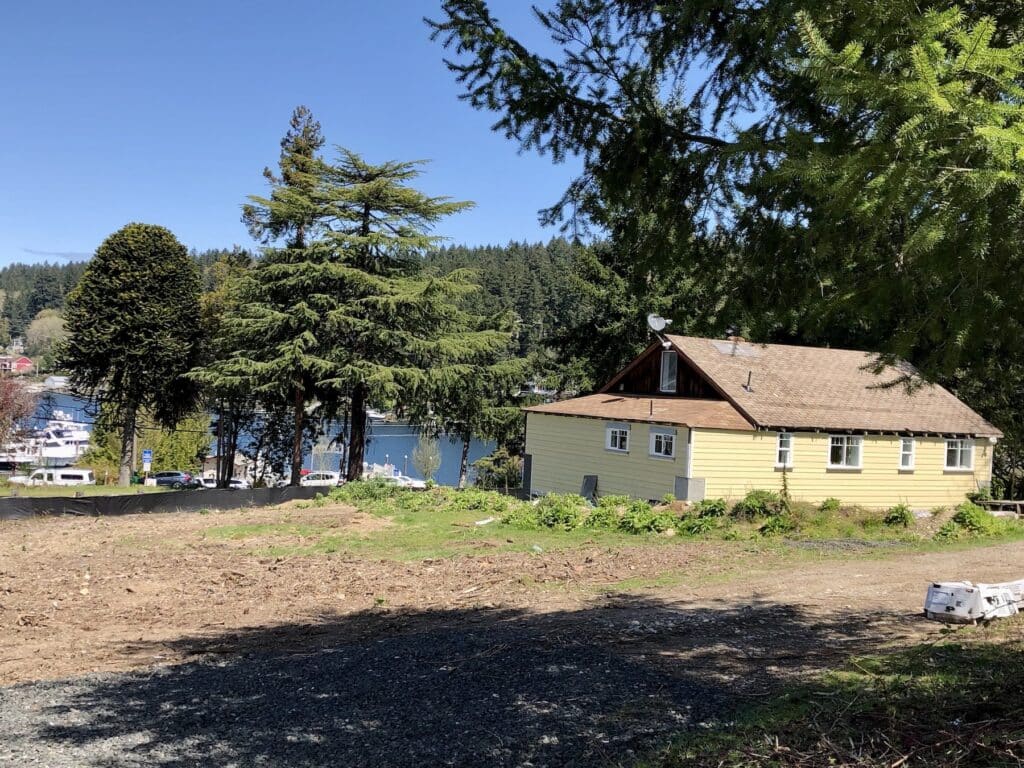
x=84, y=595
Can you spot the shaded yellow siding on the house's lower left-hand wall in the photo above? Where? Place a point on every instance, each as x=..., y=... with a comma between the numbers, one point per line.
x=565, y=449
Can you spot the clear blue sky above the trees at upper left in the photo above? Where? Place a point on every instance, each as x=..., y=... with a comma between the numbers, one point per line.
x=167, y=112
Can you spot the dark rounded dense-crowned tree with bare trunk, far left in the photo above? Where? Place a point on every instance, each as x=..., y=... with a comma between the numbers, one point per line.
x=134, y=331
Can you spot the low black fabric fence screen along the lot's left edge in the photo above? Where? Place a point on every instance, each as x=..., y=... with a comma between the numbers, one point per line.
x=20, y=507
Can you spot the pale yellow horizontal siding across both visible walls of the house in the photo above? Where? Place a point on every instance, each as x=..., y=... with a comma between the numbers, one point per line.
x=566, y=449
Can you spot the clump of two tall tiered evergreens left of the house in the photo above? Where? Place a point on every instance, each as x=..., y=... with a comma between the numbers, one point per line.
x=340, y=315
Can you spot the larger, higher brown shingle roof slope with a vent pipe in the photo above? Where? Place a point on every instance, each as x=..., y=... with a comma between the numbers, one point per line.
x=817, y=389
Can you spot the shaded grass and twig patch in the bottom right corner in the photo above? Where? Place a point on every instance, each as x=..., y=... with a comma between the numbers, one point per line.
x=955, y=704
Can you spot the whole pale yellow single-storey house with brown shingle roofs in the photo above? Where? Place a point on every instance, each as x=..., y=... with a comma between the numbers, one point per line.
x=707, y=418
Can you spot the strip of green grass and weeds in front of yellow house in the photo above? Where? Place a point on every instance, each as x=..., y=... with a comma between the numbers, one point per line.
x=442, y=524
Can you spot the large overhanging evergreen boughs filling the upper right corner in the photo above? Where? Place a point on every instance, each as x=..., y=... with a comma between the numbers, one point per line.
x=837, y=147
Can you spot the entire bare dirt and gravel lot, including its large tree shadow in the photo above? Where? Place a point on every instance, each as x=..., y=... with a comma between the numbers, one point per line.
x=190, y=649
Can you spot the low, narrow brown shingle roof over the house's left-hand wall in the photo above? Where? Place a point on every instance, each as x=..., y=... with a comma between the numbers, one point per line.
x=678, y=411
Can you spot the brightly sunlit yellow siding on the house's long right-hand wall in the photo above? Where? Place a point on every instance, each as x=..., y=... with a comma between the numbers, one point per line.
x=734, y=463
